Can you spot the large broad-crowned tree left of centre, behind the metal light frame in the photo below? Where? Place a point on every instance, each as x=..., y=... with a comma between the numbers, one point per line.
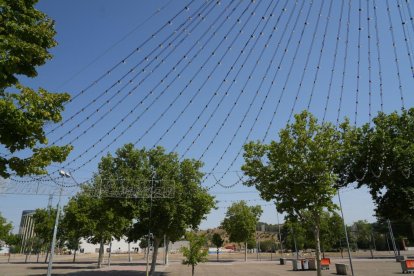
x=155, y=170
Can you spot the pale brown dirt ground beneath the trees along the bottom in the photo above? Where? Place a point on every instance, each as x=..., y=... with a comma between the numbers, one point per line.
x=229, y=264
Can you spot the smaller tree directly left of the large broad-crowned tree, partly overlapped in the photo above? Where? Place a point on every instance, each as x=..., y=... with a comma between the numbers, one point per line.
x=96, y=219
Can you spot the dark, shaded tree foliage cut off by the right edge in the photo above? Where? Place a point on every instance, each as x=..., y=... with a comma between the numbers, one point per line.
x=382, y=157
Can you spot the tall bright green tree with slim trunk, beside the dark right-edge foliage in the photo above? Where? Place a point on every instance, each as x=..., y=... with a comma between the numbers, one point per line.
x=298, y=171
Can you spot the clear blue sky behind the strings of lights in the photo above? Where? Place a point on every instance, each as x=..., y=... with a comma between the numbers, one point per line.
x=201, y=78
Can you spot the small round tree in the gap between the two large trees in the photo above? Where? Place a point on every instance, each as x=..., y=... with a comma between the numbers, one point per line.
x=240, y=223
